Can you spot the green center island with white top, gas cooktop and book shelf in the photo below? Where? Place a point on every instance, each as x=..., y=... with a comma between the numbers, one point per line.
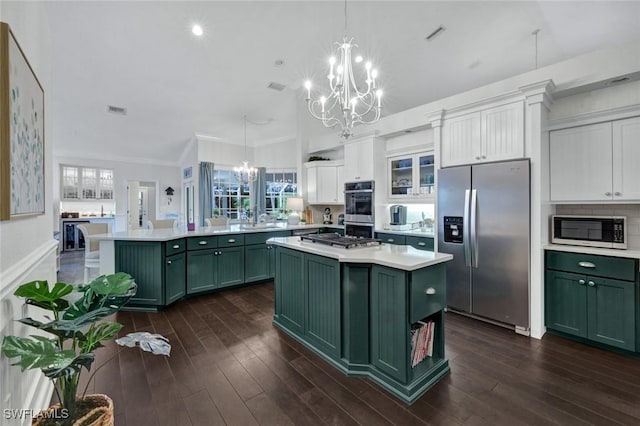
x=369, y=311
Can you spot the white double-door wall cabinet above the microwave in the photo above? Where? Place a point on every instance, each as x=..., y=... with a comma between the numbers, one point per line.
x=596, y=162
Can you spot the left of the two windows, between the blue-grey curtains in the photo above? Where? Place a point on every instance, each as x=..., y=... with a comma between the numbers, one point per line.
x=230, y=198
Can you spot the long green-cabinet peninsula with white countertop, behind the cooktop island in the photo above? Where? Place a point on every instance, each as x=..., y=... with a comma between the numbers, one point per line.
x=169, y=264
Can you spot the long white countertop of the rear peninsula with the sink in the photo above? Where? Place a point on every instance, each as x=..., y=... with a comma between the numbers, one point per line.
x=172, y=234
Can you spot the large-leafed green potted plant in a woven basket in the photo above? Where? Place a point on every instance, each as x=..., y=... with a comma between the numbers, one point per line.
x=78, y=327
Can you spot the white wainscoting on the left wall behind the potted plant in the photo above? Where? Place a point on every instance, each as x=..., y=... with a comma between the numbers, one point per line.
x=29, y=389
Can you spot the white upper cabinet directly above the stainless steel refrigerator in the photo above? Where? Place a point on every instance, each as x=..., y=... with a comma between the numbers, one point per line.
x=493, y=134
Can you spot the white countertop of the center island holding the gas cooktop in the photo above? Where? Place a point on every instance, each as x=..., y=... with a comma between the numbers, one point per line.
x=394, y=256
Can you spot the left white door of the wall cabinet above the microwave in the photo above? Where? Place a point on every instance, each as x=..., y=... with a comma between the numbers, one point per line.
x=581, y=163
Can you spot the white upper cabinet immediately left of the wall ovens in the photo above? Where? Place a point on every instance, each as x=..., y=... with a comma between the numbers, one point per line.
x=325, y=182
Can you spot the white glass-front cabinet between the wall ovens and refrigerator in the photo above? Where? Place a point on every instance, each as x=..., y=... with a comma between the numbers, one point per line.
x=412, y=176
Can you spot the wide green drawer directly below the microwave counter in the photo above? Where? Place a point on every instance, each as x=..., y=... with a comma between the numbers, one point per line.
x=589, y=264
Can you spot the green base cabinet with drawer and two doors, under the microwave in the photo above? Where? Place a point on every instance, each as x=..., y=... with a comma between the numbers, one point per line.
x=598, y=308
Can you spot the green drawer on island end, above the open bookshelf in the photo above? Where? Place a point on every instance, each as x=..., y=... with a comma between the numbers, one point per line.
x=428, y=292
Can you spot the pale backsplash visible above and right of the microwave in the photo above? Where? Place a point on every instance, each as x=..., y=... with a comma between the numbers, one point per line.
x=631, y=211
